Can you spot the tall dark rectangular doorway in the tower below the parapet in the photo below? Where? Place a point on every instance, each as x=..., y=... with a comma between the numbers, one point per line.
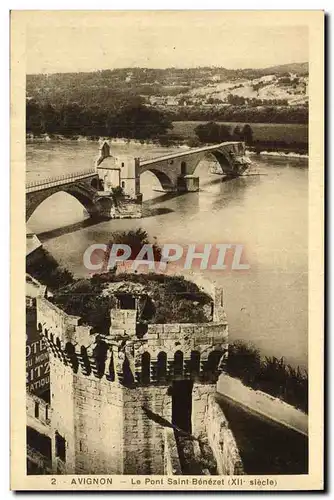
x=182, y=404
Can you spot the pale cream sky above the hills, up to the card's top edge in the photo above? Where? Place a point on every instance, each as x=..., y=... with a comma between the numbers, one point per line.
x=173, y=39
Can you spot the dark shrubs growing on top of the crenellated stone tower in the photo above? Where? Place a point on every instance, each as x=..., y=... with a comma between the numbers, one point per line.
x=172, y=299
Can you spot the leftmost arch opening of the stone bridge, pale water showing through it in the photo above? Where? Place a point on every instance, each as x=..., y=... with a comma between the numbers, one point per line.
x=66, y=209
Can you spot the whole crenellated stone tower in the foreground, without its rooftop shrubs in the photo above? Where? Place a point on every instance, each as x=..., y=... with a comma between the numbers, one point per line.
x=119, y=401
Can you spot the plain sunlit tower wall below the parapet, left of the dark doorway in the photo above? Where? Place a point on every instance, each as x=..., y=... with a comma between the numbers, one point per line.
x=104, y=425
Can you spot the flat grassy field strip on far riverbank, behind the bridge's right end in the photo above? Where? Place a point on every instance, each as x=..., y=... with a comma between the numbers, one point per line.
x=288, y=133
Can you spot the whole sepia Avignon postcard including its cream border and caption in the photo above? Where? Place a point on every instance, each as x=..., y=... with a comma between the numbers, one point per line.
x=167, y=183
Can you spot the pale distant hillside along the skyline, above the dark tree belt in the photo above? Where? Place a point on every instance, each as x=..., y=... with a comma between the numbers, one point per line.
x=116, y=87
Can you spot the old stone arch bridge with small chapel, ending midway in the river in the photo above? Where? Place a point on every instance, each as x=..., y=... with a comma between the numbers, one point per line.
x=95, y=188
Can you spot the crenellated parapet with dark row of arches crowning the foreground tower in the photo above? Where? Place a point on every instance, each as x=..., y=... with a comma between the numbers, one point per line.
x=135, y=354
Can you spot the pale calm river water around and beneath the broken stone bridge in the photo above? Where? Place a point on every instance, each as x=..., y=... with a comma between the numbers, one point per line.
x=266, y=213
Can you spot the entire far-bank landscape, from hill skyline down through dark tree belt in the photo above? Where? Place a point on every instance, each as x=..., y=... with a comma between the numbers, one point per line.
x=141, y=103
